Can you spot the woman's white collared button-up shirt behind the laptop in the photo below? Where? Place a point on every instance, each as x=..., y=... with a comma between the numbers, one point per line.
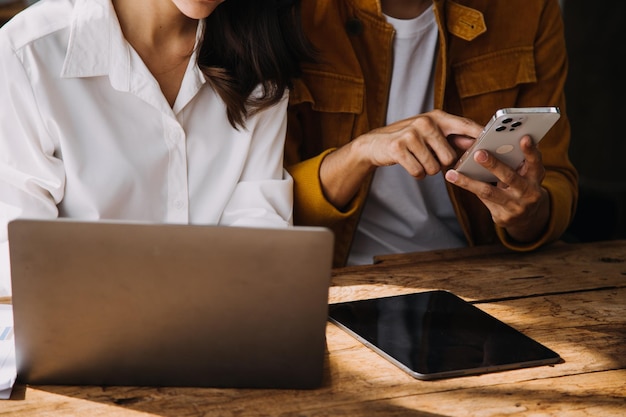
x=85, y=132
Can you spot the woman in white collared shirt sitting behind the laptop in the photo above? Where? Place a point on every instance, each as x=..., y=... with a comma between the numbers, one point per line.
x=148, y=110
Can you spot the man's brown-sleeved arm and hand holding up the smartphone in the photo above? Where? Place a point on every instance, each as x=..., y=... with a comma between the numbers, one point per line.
x=534, y=205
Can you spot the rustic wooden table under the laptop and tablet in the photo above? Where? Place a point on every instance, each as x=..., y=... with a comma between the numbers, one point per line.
x=570, y=297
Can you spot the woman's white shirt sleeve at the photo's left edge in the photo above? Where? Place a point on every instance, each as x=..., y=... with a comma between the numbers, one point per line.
x=31, y=177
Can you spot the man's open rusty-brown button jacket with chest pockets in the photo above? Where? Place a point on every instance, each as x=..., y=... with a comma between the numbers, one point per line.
x=492, y=54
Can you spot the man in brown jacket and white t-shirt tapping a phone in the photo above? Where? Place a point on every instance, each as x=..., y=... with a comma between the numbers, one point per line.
x=399, y=87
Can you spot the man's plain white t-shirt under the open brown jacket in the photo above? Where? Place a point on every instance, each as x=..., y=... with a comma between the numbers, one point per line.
x=403, y=214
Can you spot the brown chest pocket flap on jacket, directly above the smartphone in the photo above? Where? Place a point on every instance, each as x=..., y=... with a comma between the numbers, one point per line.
x=499, y=70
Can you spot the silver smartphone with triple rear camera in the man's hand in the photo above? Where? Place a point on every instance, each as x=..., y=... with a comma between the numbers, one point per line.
x=501, y=137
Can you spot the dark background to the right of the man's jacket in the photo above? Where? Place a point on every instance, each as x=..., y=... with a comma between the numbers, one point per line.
x=596, y=106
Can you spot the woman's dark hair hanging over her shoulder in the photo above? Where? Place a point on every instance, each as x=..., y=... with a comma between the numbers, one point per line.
x=252, y=42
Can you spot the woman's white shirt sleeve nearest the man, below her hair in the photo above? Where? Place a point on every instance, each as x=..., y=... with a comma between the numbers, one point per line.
x=263, y=197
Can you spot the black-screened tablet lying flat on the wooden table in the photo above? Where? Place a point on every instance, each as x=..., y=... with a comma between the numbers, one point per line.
x=436, y=334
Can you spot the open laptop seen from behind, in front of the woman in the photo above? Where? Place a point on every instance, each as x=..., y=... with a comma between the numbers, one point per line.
x=116, y=303
